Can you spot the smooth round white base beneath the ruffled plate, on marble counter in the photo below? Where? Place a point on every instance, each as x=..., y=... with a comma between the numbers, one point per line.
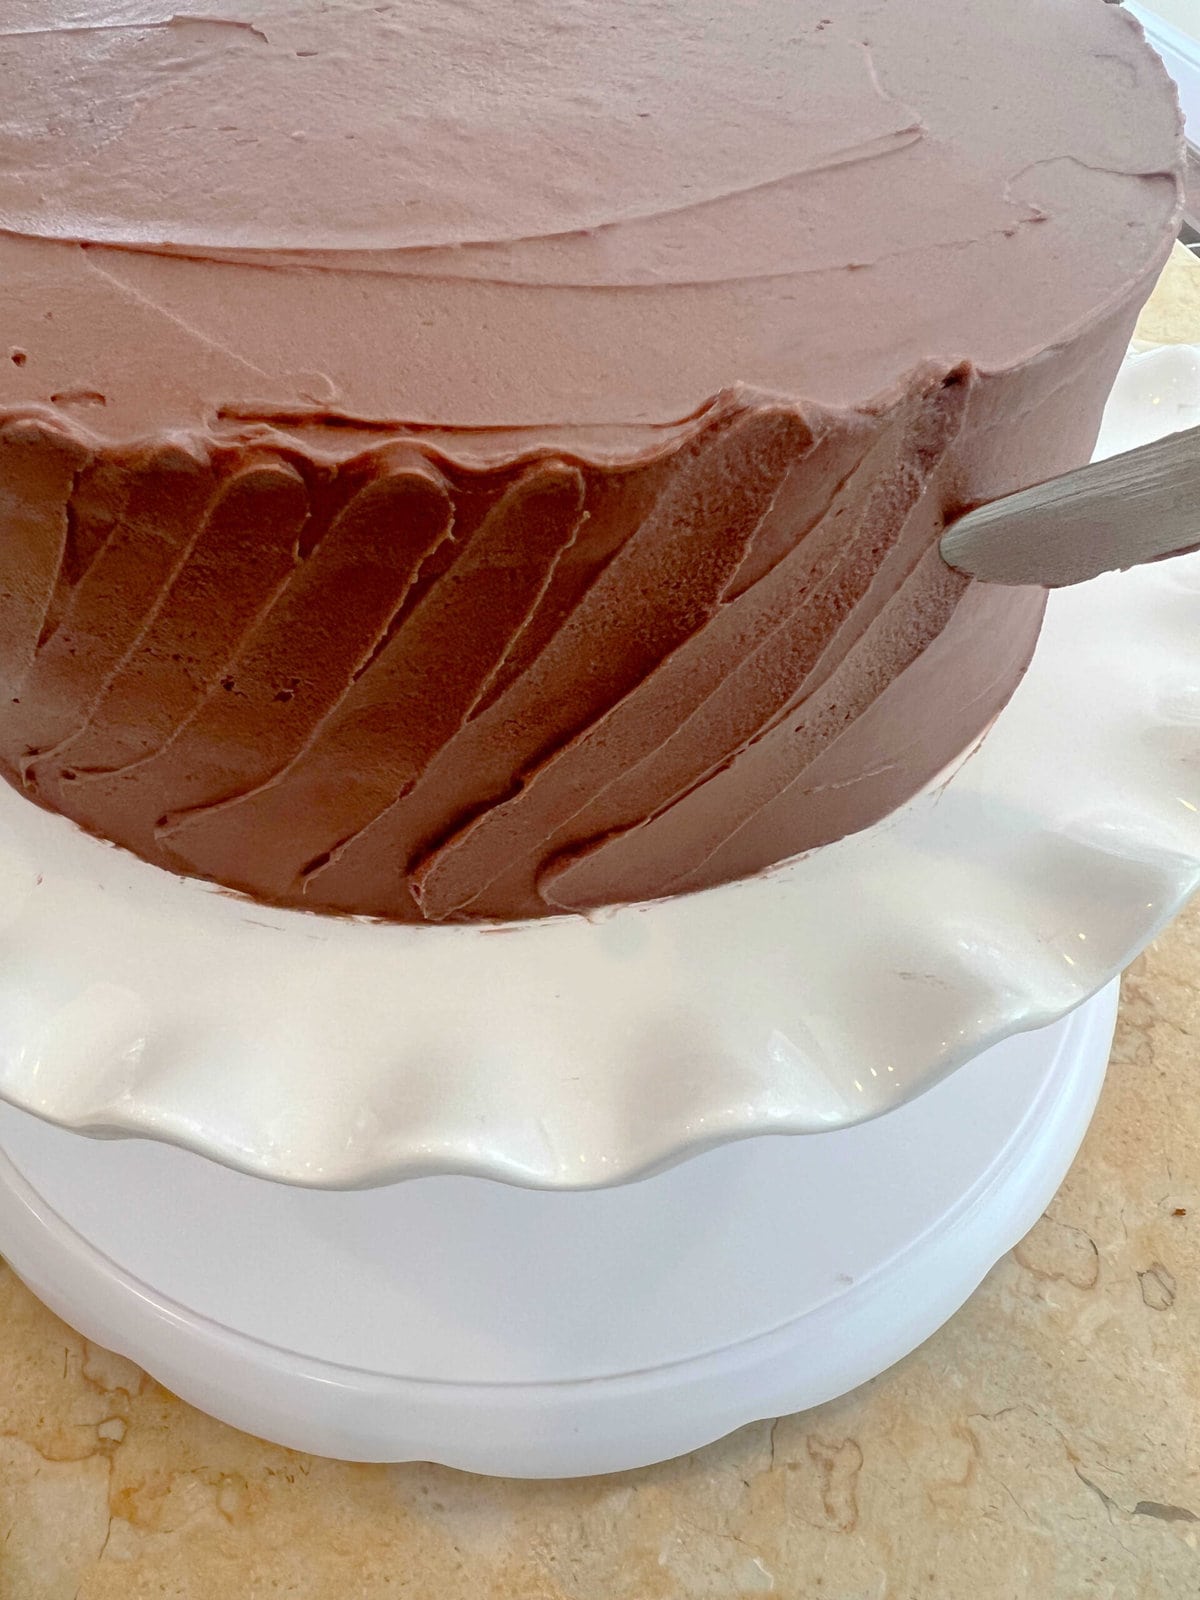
x=553, y=1334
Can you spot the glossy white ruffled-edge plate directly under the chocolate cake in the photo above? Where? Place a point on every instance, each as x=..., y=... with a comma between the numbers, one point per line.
x=575, y=1054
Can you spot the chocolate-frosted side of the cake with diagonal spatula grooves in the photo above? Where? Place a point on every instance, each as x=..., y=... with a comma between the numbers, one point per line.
x=442, y=694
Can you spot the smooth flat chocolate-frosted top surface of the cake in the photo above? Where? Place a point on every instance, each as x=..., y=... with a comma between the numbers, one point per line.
x=561, y=215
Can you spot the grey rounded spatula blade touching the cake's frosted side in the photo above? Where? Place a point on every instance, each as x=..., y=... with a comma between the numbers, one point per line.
x=1137, y=508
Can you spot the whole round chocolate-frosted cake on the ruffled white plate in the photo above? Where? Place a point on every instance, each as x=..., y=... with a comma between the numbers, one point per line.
x=486, y=460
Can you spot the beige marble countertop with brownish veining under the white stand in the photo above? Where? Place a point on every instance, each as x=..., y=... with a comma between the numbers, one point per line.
x=1044, y=1446
